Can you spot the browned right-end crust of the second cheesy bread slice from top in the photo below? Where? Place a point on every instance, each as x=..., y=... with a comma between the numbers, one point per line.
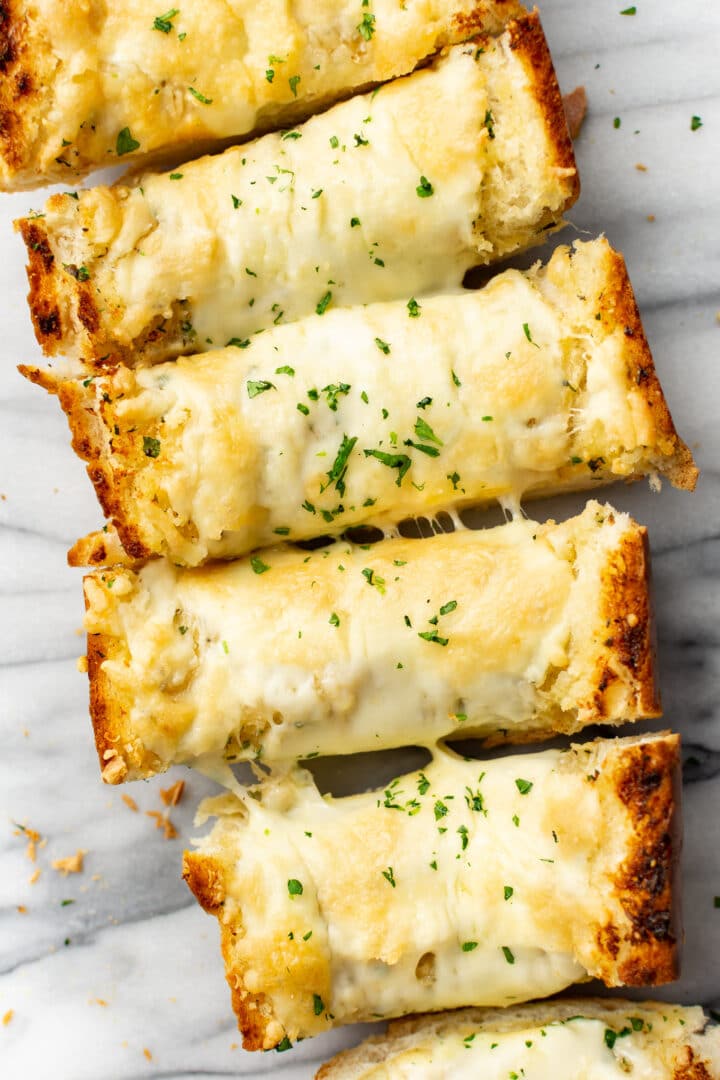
x=529, y=43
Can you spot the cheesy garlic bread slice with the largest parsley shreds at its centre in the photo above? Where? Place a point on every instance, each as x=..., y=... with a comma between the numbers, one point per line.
x=374, y=414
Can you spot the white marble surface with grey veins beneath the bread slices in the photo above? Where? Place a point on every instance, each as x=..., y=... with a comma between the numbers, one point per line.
x=133, y=937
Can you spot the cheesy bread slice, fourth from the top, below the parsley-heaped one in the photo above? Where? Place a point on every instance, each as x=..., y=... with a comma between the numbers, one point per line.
x=511, y=633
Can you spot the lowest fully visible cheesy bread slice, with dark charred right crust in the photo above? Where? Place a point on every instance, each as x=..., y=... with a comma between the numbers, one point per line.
x=469, y=883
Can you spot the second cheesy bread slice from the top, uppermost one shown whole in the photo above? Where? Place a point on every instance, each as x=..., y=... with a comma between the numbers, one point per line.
x=390, y=195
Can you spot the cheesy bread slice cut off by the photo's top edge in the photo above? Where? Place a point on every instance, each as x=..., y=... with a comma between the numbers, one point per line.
x=86, y=86
